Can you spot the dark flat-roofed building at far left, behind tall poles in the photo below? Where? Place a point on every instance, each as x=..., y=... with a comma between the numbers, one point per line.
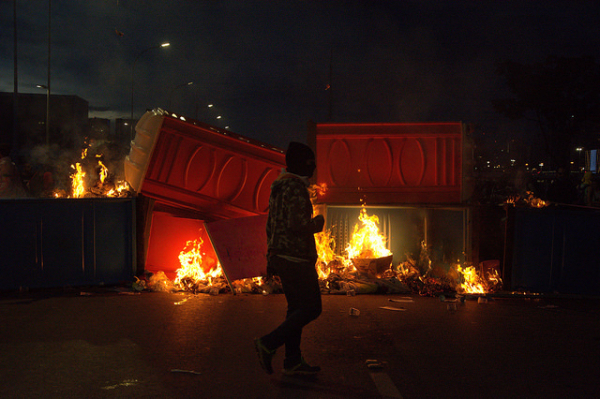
x=68, y=119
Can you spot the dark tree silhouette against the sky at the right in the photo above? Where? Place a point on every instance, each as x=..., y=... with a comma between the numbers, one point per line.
x=562, y=95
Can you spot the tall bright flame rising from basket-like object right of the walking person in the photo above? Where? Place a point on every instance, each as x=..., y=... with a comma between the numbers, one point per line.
x=366, y=241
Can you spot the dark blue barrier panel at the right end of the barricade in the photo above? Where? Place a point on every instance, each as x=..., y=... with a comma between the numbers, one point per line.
x=554, y=250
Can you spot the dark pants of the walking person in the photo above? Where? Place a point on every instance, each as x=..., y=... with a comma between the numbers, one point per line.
x=301, y=288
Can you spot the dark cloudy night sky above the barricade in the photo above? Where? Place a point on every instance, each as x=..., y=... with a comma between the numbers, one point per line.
x=267, y=65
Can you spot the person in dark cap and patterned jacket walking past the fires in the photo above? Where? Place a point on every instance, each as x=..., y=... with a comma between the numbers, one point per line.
x=292, y=256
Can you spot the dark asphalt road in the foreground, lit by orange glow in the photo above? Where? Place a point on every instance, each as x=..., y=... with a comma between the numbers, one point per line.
x=109, y=344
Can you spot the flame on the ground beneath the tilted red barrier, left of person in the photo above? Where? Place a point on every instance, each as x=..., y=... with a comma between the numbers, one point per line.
x=191, y=261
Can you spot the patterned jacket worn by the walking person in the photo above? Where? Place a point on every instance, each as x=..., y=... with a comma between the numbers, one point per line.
x=290, y=225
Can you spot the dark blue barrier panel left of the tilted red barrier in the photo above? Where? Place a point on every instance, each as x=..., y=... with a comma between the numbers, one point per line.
x=66, y=242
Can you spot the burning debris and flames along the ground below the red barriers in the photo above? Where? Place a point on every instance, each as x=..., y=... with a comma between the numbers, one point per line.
x=348, y=274
